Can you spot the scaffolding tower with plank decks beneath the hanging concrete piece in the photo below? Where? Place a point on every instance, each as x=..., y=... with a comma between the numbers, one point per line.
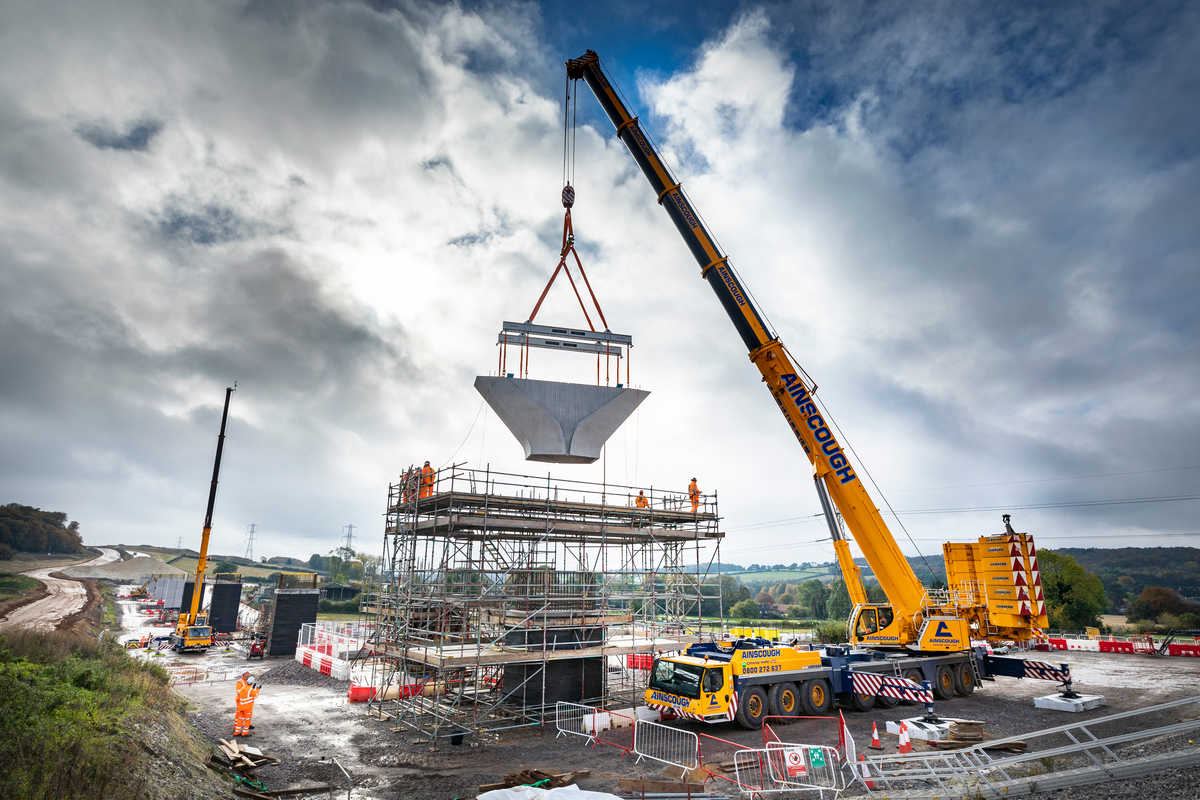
x=501, y=596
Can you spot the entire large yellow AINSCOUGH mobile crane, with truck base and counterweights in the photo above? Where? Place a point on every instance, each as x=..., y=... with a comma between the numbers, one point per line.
x=915, y=647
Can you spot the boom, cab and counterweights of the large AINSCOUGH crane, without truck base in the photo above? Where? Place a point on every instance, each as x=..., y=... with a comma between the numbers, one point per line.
x=914, y=619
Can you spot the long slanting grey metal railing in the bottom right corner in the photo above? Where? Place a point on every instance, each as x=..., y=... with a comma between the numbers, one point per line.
x=1089, y=759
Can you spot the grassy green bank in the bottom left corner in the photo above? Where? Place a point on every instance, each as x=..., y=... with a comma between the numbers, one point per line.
x=68, y=706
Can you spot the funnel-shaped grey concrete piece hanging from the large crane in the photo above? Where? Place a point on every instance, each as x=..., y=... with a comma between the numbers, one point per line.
x=562, y=424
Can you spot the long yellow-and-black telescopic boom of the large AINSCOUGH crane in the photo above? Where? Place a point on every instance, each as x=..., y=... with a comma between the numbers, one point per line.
x=794, y=396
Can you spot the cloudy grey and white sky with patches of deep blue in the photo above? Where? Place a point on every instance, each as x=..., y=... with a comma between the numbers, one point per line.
x=975, y=226
